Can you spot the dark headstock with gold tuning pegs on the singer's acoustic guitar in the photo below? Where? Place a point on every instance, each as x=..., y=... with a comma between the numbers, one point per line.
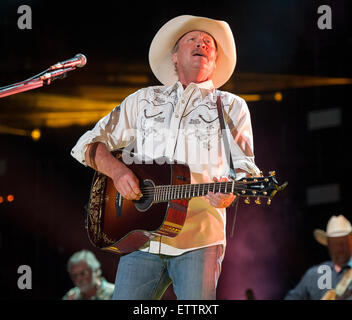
x=258, y=188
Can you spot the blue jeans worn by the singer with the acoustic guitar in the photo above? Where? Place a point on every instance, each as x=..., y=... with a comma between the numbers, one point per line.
x=146, y=276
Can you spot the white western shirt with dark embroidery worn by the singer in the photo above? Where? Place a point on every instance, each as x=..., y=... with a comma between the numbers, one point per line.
x=181, y=124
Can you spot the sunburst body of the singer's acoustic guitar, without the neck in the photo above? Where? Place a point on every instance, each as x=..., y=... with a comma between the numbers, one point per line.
x=121, y=226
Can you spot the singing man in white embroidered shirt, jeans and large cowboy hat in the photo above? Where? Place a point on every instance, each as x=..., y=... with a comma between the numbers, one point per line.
x=192, y=57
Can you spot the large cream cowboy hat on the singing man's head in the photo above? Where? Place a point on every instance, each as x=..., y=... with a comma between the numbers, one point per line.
x=160, y=50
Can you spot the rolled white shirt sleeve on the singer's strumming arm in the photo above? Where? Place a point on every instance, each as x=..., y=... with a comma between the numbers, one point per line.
x=116, y=130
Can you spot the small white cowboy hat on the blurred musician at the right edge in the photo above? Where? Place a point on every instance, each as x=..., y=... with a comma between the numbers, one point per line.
x=337, y=226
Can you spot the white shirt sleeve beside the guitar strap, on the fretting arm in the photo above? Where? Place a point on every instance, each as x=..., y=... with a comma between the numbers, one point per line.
x=238, y=120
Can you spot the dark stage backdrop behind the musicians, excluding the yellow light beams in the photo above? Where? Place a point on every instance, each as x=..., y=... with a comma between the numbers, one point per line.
x=272, y=246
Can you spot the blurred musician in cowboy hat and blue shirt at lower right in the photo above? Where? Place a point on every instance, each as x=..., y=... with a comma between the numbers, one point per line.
x=324, y=281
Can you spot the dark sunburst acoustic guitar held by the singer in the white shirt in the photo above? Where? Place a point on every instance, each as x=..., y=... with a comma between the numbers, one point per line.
x=121, y=226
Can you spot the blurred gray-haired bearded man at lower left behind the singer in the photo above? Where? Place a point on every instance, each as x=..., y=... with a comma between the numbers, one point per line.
x=85, y=272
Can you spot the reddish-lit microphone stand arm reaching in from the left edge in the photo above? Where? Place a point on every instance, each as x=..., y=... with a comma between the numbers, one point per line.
x=35, y=82
